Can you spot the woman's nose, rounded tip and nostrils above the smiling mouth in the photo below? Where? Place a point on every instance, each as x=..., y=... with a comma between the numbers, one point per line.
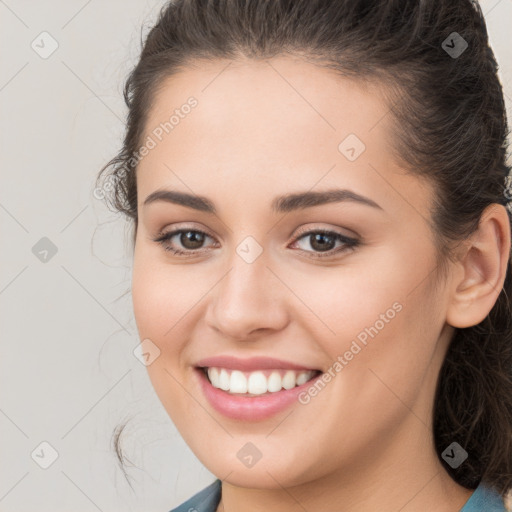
x=248, y=301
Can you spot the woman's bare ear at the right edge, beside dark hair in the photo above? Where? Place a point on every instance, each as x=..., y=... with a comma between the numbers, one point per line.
x=482, y=269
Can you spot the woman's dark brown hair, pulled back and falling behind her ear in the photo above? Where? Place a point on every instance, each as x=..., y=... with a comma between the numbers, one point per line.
x=450, y=126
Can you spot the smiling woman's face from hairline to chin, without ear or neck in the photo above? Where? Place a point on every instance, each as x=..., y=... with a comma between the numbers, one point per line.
x=261, y=143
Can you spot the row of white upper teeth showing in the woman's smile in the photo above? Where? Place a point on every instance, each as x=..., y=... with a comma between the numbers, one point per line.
x=257, y=383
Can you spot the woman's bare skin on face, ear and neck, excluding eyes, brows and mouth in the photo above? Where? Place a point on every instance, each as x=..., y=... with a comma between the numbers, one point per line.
x=263, y=129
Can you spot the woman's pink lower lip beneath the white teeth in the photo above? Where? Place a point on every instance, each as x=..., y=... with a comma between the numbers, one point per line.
x=250, y=408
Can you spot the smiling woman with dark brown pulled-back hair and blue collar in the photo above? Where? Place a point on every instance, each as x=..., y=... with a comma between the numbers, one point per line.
x=322, y=271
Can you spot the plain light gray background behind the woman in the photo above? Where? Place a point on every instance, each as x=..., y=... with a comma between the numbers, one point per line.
x=68, y=373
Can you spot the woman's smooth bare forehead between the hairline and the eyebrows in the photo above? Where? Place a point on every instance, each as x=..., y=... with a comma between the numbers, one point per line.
x=284, y=122
